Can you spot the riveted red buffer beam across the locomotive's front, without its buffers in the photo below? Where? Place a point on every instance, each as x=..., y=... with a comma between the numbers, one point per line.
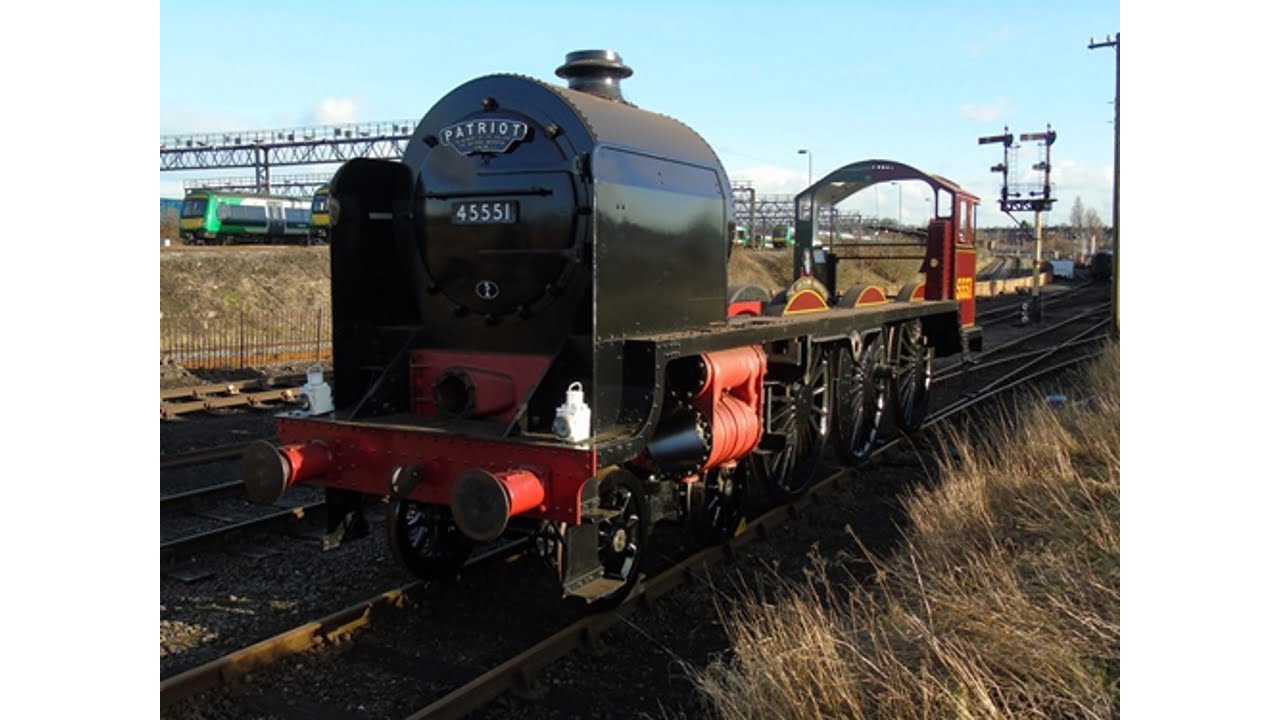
x=364, y=458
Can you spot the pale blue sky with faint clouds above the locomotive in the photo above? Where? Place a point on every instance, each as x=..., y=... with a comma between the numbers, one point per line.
x=917, y=83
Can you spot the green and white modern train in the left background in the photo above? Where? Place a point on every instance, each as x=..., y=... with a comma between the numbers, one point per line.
x=212, y=217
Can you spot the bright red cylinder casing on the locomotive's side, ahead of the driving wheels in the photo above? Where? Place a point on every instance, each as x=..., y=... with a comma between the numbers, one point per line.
x=733, y=397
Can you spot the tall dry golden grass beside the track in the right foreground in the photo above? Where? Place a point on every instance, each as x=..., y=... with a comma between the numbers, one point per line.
x=1003, y=601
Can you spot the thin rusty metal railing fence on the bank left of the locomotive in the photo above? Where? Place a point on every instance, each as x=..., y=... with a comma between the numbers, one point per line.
x=246, y=340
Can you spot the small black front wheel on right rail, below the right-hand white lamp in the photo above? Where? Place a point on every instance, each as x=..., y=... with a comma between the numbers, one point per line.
x=621, y=534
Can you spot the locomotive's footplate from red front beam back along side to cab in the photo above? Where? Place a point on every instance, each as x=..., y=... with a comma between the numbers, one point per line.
x=409, y=440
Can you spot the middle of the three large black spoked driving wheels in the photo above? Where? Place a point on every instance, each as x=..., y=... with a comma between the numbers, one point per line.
x=860, y=400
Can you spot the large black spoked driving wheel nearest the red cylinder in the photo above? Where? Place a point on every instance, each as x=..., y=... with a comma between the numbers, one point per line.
x=801, y=413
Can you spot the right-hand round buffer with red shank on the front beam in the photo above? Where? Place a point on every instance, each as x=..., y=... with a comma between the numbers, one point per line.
x=483, y=502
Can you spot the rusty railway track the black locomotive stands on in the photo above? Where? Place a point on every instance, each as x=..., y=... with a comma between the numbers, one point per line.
x=519, y=672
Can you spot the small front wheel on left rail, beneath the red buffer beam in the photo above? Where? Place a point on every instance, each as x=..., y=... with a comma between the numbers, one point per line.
x=426, y=541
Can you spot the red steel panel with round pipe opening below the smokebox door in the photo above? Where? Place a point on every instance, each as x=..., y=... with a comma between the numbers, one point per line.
x=495, y=384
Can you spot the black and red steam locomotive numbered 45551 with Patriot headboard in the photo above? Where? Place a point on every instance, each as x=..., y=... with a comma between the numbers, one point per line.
x=534, y=338
